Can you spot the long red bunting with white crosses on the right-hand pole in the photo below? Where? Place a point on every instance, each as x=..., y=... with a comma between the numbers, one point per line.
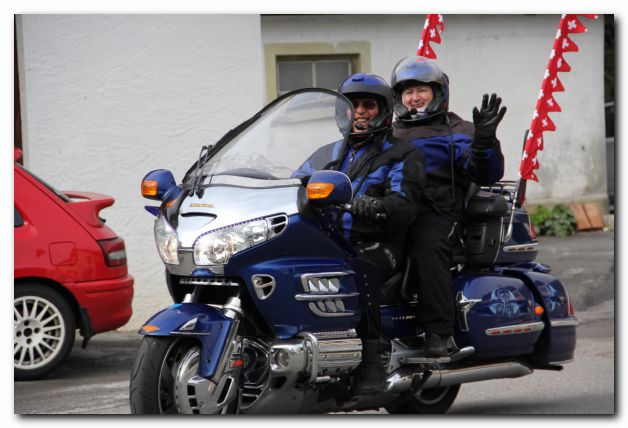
x=546, y=103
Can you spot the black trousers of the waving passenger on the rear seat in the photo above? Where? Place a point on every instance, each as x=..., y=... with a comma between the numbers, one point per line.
x=431, y=247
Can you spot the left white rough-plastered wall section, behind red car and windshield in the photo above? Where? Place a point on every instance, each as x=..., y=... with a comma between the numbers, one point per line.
x=106, y=98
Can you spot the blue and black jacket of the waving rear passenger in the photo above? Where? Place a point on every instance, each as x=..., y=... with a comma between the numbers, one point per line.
x=454, y=160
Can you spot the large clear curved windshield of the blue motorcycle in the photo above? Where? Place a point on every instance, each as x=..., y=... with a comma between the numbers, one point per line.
x=283, y=138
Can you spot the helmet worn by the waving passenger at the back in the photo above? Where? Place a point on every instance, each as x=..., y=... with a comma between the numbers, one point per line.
x=415, y=70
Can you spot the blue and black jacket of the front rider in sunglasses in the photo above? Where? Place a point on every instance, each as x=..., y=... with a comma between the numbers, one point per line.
x=385, y=168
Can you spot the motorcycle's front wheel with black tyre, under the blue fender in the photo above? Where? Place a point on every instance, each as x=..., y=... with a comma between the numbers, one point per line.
x=165, y=379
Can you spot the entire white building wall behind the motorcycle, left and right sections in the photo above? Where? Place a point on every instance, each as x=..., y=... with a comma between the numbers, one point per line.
x=106, y=98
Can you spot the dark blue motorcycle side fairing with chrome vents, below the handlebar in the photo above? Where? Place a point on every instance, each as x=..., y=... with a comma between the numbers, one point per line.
x=299, y=253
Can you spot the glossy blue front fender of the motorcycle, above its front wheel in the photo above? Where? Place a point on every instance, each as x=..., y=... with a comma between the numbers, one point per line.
x=204, y=323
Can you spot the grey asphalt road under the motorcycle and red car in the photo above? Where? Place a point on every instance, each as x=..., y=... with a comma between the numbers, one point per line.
x=95, y=380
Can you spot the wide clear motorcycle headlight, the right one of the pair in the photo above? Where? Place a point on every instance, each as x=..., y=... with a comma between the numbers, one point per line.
x=217, y=247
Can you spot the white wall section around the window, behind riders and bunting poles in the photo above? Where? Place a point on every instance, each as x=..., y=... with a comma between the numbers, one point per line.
x=506, y=54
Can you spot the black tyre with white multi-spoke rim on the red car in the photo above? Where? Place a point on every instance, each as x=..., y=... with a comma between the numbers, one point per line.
x=43, y=331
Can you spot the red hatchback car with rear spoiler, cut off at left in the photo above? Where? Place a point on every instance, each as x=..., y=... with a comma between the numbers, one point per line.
x=70, y=273
